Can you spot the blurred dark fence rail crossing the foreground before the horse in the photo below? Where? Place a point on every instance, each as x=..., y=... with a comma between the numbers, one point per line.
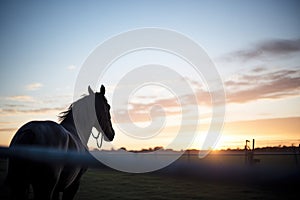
x=219, y=167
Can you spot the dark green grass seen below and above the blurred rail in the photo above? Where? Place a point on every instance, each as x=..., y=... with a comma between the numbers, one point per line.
x=109, y=184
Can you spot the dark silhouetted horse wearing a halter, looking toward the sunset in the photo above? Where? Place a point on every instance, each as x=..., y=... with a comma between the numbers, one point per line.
x=48, y=180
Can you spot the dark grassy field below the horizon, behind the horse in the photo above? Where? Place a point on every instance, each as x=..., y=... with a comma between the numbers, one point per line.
x=216, y=179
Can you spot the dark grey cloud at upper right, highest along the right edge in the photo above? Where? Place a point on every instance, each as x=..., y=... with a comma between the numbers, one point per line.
x=267, y=49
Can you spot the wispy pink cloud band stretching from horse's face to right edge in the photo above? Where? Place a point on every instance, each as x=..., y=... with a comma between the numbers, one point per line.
x=252, y=86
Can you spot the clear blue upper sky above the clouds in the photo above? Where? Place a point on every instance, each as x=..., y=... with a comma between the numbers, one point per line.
x=44, y=37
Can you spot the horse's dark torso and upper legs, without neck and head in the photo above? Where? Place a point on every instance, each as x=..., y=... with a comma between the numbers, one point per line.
x=45, y=134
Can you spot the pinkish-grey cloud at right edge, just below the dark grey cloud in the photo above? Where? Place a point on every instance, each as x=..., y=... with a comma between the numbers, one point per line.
x=267, y=85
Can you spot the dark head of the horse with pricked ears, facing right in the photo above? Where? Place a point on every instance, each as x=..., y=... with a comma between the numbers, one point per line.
x=103, y=123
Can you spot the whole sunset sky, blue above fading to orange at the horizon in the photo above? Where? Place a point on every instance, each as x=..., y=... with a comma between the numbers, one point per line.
x=255, y=46
